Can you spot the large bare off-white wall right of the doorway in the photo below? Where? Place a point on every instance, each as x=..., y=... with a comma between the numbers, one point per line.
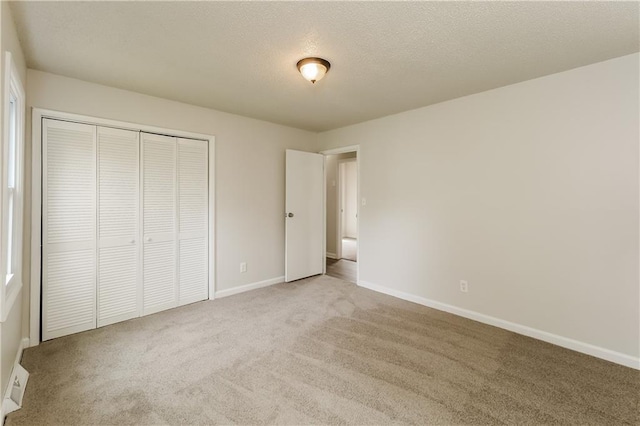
x=530, y=192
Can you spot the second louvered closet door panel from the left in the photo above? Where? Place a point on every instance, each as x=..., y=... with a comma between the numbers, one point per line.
x=118, y=224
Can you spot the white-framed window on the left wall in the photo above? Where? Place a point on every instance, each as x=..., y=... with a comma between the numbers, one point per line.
x=12, y=187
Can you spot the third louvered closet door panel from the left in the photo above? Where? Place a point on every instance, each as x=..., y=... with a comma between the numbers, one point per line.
x=159, y=223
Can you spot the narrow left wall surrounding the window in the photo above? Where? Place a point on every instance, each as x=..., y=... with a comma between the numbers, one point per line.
x=11, y=329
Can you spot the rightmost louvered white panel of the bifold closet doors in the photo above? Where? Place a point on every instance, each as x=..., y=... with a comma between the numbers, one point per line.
x=193, y=216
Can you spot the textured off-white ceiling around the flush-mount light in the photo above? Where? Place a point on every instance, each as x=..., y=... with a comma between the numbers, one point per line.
x=386, y=57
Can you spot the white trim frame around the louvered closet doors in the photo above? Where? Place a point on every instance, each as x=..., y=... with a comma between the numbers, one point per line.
x=35, y=284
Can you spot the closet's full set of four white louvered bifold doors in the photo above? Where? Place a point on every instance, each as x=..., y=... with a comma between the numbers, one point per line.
x=124, y=225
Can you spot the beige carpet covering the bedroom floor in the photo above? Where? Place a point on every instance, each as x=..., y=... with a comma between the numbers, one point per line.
x=318, y=351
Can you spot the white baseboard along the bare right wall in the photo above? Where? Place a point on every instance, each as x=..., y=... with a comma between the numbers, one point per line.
x=565, y=342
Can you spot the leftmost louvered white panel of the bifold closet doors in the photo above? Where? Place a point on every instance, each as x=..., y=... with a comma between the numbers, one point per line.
x=68, y=228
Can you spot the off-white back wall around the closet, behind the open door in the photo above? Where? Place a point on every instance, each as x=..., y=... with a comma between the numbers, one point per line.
x=250, y=157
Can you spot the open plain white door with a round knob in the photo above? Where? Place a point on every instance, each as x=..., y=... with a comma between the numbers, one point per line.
x=304, y=206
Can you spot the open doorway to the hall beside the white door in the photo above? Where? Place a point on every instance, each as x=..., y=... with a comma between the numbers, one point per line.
x=342, y=242
